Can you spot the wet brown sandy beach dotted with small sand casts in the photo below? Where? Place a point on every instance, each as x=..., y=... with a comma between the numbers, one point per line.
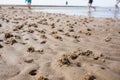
x=48, y=46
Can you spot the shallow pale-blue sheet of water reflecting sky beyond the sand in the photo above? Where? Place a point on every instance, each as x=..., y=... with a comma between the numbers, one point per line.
x=100, y=12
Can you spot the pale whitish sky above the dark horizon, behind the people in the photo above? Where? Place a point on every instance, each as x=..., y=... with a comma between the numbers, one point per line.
x=100, y=3
